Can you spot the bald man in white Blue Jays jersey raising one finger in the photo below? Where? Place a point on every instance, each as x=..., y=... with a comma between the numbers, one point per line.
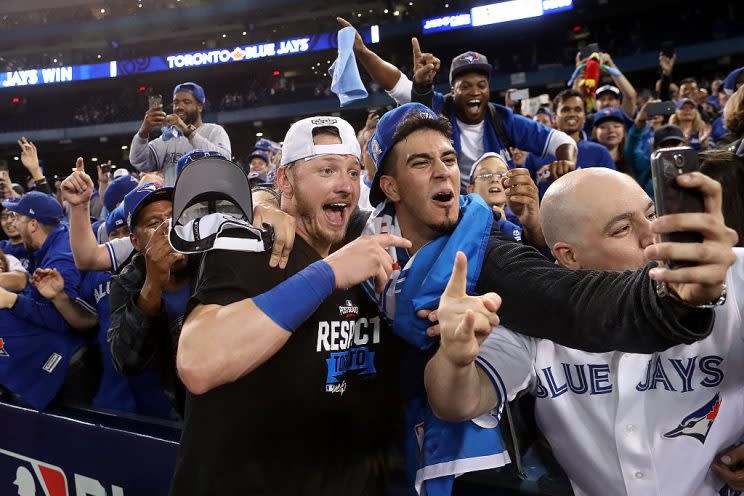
x=618, y=423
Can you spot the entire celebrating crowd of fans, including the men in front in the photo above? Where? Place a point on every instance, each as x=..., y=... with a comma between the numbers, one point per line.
x=407, y=287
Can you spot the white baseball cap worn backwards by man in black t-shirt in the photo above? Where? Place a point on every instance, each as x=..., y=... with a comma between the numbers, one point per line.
x=298, y=143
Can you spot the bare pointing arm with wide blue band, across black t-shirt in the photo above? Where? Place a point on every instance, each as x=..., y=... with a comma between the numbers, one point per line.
x=212, y=353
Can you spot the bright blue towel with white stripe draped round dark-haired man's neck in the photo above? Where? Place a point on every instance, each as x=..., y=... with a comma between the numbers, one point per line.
x=437, y=451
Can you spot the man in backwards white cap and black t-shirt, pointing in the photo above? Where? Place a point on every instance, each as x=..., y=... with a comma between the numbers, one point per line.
x=246, y=368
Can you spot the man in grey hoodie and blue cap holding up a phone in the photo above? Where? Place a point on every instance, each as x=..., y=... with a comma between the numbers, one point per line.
x=182, y=131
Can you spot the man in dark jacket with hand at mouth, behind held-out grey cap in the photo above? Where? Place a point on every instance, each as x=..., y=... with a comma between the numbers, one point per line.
x=148, y=298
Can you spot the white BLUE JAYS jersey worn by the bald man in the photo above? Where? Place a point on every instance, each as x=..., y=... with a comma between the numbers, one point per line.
x=622, y=423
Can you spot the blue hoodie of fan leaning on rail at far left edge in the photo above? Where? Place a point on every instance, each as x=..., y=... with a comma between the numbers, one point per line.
x=37, y=343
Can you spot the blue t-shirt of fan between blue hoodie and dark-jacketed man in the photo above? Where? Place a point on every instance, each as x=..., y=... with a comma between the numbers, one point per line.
x=142, y=394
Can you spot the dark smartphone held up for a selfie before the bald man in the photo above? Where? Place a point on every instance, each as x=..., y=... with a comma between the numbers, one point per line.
x=670, y=198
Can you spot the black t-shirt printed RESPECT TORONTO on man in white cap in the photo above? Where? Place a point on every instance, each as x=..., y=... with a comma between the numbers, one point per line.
x=317, y=418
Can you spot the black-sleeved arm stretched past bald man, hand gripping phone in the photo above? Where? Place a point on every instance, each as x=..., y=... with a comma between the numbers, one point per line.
x=607, y=311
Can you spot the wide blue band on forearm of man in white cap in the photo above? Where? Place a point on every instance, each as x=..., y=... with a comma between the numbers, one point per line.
x=290, y=303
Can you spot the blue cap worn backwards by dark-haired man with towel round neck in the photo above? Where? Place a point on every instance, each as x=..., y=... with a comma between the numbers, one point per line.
x=383, y=141
